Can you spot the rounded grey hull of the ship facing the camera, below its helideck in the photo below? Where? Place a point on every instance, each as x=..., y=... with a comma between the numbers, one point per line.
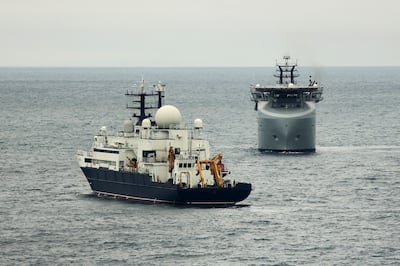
x=286, y=129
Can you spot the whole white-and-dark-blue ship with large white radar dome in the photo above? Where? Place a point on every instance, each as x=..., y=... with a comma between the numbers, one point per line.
x=157, y=159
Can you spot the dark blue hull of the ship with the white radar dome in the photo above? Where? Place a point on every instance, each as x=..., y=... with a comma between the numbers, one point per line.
x=139, y=187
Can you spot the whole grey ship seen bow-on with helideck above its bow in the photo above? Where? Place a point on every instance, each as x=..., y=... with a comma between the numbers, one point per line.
x=286, y=111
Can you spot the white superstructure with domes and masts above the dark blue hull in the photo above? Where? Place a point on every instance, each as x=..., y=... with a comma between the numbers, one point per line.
x=163, y=148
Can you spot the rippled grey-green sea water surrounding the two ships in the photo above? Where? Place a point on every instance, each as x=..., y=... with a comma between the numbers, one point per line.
x=338, y=206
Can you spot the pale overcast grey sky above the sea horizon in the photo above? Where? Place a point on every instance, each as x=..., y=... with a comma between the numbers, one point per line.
x=180, y=33
